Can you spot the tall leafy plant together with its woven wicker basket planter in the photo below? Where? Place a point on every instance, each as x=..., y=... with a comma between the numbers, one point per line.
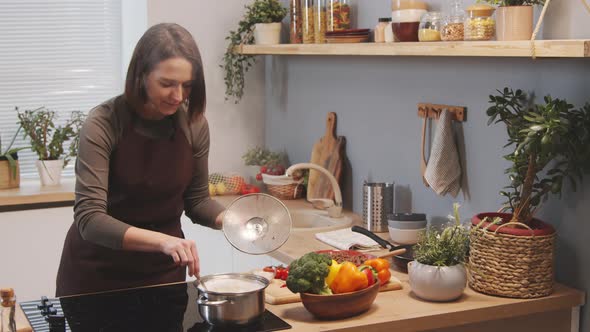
x=512, y=253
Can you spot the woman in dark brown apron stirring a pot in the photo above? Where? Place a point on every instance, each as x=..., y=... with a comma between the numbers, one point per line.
x=143, y=160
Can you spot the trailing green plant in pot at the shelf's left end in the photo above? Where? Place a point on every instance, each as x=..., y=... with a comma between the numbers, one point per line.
x=260, y=23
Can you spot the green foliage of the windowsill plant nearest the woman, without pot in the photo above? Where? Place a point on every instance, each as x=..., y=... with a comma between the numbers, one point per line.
x=47, y=139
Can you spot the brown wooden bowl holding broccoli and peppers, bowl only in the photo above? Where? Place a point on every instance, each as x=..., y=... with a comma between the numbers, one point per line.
x=339, y=306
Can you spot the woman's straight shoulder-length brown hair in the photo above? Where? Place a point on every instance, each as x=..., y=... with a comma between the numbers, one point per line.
x=161, y=42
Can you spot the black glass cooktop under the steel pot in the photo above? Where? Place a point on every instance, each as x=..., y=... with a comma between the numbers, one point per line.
x=162, y=308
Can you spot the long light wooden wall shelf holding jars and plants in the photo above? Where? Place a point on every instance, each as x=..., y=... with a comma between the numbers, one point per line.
x=572, y=48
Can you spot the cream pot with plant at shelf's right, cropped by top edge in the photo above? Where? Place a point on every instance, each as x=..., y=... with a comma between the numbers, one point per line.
x=514, y=18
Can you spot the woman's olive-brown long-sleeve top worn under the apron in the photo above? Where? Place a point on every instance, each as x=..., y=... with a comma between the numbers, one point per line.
x=99, y=137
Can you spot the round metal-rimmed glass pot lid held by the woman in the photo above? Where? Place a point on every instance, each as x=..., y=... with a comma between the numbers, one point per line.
x=257, y=223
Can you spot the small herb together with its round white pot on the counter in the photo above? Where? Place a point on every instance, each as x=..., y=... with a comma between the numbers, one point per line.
x=438, y=272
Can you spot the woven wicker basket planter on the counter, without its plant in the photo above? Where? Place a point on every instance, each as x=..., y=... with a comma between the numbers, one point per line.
x=509, y=265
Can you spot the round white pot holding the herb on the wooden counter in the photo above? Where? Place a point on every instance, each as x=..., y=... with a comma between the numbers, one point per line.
x=437, y=283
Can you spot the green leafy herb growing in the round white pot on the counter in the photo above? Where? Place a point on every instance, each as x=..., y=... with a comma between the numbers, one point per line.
x=444, y=248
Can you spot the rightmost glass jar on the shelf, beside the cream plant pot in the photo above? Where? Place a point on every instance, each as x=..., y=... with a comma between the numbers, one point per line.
x=480, y=23
